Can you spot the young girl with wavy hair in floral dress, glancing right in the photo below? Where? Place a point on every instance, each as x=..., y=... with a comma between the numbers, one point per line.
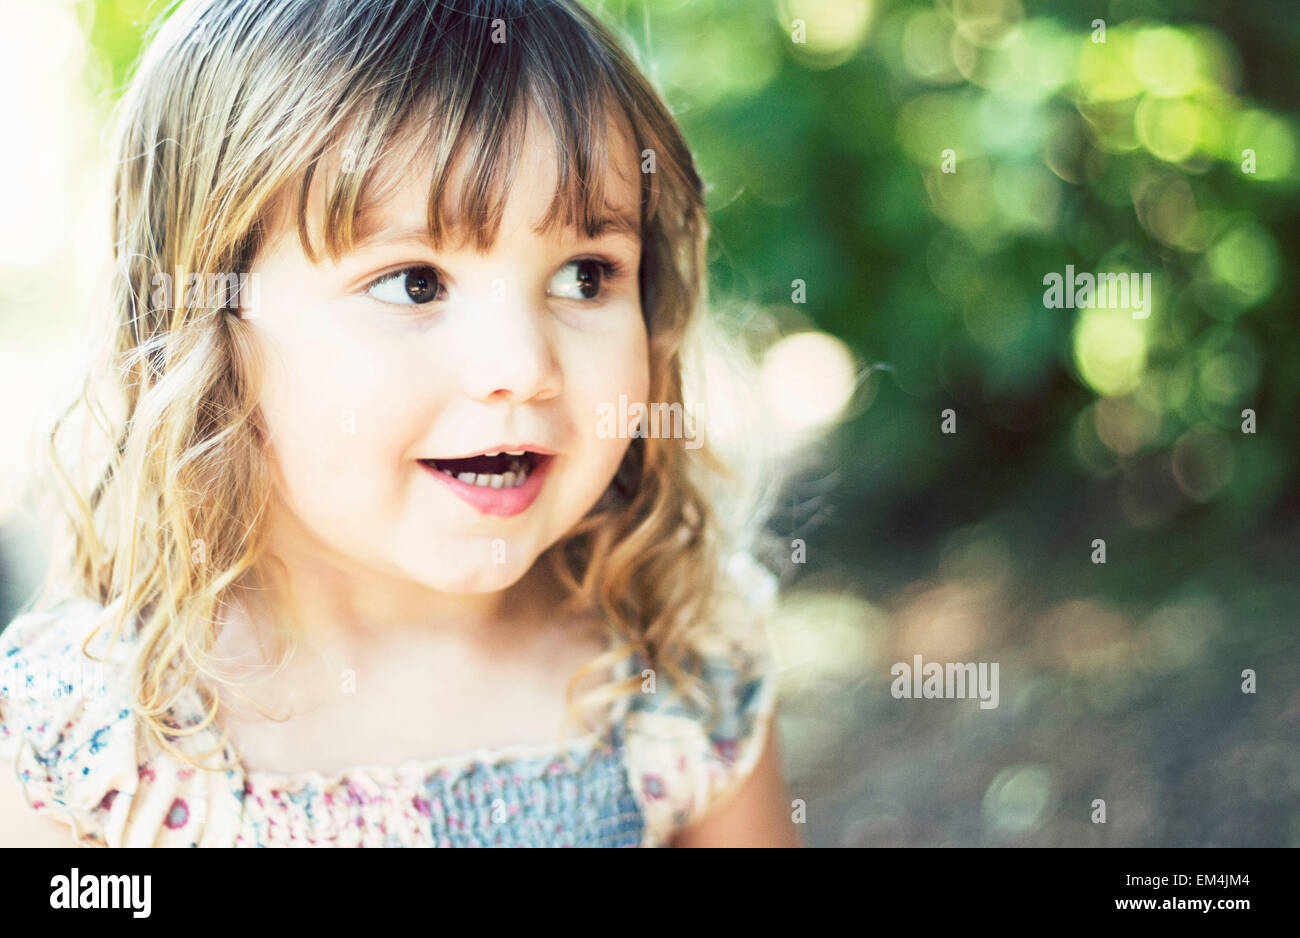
x=398, y=487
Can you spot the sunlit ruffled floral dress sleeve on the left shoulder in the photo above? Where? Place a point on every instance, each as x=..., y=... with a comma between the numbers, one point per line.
x=70, y=739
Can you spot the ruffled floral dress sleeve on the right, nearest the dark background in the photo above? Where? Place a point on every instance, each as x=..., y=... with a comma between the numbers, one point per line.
x=686, y=758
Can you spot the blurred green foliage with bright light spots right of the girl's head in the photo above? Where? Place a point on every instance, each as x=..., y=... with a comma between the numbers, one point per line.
x=1172, y=147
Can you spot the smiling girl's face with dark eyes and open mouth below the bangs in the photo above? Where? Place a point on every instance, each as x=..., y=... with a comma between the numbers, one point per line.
x=388, y=371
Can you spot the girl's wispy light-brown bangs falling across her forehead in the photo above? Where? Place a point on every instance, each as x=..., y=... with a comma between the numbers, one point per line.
x=454, y=93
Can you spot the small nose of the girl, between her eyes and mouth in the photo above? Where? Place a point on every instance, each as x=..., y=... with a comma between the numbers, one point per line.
x=508, y=350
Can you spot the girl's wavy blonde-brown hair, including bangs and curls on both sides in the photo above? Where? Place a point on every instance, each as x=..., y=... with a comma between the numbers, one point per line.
x=236, y=107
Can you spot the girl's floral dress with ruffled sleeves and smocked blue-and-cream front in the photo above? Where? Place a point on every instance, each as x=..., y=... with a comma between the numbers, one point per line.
x=70, y=737
